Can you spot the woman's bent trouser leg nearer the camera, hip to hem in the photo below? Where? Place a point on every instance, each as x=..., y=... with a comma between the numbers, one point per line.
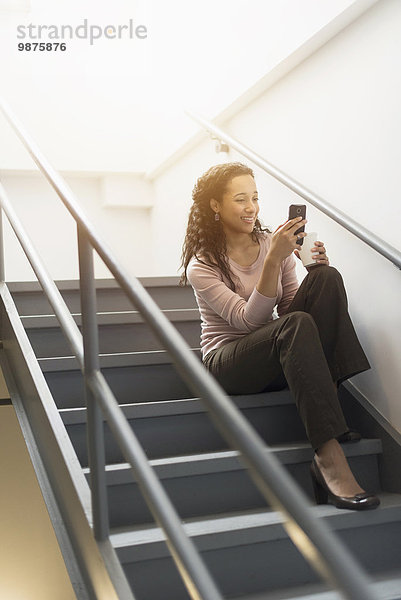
x=286, y=350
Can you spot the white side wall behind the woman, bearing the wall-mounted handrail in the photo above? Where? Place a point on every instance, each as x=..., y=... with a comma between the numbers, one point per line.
x=333, y=124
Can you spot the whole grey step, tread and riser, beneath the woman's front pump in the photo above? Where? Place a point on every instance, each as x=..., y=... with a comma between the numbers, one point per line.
x=251, y=553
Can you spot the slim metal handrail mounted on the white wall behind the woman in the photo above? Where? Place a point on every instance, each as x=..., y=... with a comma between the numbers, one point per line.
x=364, y=234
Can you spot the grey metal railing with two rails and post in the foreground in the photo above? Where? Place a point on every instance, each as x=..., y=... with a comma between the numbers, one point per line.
x=312, y=536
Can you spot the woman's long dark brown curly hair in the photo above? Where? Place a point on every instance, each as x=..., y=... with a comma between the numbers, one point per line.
x=205, y=236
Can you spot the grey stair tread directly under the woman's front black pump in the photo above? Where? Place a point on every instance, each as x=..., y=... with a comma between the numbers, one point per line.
x=267, y=522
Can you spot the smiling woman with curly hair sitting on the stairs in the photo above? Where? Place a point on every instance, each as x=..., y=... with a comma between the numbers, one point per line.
x=240, y=273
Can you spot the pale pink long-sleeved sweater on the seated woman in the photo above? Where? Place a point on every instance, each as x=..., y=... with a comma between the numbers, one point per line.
x=227, y=315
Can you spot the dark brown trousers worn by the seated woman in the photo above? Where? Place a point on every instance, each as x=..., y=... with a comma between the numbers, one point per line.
x=311, y=348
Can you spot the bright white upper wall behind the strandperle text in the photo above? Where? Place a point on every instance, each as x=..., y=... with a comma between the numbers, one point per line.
x=117, y=105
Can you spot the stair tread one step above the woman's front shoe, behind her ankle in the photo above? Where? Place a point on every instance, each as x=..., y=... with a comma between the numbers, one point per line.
x=228, y=460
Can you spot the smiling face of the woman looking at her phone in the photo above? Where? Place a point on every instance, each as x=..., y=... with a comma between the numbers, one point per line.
x=240, y=207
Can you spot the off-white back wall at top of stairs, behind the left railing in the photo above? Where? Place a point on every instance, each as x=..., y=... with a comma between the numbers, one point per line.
x=53, y=231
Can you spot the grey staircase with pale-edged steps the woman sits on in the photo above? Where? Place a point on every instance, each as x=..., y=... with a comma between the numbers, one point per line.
x=242, y=541
